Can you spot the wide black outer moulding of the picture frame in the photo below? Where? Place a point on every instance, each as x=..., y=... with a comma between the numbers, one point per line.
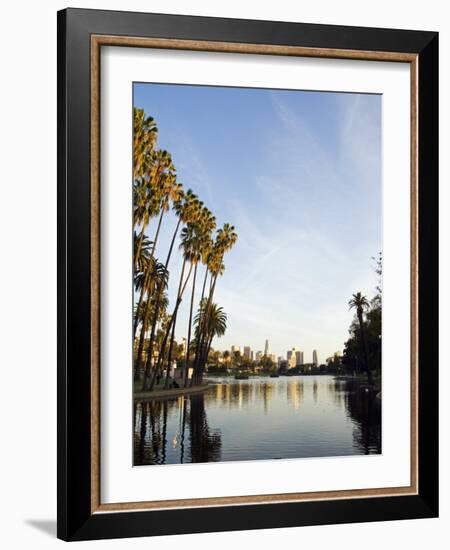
x=75, y=519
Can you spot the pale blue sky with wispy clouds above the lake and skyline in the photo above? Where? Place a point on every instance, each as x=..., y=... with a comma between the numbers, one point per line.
x=299, y=176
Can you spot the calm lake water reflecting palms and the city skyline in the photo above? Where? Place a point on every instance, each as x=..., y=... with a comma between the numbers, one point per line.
x=259, y=418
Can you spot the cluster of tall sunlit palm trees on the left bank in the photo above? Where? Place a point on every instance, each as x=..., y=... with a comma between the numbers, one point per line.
x=156, y=191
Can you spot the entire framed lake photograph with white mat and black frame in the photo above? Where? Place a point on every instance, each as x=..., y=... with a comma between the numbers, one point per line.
x=247, y=252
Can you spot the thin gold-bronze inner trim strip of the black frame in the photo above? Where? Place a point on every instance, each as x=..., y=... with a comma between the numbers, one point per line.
x=97, y=41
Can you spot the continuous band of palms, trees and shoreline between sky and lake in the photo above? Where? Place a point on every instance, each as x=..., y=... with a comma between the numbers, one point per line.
x=163, y=366
